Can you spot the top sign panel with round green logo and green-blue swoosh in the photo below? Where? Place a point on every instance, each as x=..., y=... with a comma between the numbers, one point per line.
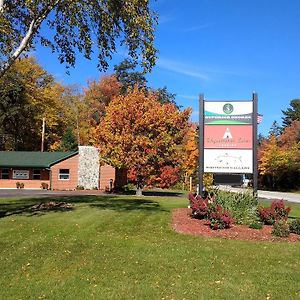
x=226, y=113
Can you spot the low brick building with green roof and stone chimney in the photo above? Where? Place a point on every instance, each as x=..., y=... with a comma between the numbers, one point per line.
x=58, y=170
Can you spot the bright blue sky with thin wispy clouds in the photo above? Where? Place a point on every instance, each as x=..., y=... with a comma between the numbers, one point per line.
x=225, y=49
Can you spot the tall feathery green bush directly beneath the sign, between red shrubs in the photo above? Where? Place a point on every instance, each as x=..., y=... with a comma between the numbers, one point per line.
x=242, y=206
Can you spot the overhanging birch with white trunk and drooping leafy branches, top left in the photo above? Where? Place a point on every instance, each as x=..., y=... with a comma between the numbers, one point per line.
x=67, y=26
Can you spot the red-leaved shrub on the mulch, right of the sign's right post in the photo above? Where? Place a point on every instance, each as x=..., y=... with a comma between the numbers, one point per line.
x=277, y=211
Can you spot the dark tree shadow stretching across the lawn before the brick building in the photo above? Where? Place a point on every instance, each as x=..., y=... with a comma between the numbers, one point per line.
x=27, y=206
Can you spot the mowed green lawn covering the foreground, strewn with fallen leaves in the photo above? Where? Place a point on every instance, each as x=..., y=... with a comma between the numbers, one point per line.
x=123, y=247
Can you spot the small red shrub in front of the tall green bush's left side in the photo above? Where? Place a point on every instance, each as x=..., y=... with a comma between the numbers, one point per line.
x=219, y=217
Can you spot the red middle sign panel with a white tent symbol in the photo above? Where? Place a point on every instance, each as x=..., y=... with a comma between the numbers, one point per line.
x=228, y=136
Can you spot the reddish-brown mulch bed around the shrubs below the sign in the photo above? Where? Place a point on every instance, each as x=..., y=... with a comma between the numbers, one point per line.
x=182, y=222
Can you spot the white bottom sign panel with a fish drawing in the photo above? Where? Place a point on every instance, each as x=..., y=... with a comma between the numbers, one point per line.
x=228, y=161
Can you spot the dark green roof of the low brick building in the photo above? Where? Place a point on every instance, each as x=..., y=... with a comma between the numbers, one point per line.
x=30, y=159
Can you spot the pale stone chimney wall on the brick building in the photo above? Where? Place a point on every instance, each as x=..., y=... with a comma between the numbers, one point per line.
x=88, y=167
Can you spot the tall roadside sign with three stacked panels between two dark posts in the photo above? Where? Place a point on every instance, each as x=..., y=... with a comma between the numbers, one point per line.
x=228, y=138
